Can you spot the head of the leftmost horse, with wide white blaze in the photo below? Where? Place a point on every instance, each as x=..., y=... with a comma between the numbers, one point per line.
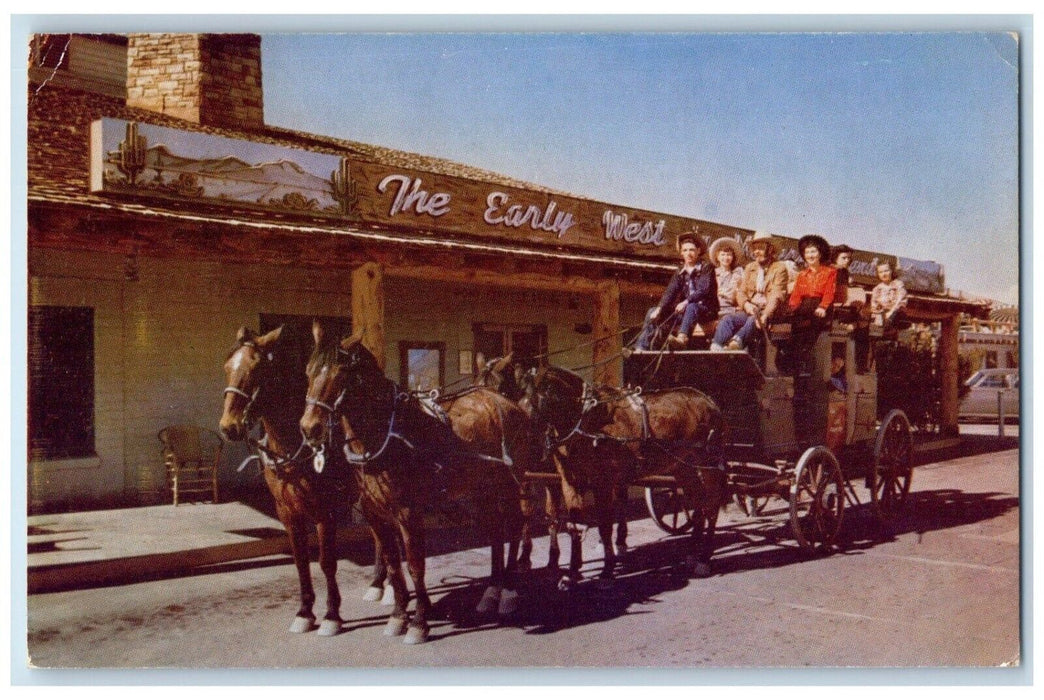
x=246, y=372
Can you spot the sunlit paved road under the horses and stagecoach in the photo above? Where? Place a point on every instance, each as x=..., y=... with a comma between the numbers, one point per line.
x=942, y=592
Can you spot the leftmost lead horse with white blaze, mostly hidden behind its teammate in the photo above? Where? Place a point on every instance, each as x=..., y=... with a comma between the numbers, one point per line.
x=255, y=392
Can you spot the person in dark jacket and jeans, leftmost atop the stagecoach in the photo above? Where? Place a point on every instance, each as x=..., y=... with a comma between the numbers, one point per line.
x=692, y=294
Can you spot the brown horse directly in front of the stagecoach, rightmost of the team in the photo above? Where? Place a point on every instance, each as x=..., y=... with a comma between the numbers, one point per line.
x=606, y=438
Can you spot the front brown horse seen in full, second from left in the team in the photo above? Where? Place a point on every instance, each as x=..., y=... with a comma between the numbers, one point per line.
x=408, y=458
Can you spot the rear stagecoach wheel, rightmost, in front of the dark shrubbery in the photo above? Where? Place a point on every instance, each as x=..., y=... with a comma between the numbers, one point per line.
x=891, y=473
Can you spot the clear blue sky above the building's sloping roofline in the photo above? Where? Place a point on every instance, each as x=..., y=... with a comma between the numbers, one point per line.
x=905, y=144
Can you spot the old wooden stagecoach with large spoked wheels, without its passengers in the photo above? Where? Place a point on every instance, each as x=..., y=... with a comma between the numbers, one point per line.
x=794, y=438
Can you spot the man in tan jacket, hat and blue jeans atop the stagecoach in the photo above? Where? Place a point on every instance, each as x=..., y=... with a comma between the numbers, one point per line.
x=760, y=296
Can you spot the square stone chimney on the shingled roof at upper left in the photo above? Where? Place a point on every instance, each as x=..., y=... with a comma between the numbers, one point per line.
x=212, y=80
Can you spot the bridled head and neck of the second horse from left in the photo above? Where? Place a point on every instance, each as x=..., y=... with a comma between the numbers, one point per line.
x=338, y=370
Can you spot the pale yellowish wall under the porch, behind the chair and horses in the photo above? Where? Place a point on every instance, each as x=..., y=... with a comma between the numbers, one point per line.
x=161, y=341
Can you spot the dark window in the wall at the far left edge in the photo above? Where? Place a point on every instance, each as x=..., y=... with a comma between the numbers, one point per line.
x=61, y=342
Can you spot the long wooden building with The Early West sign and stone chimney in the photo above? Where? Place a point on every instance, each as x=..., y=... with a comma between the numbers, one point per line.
x=164, y=214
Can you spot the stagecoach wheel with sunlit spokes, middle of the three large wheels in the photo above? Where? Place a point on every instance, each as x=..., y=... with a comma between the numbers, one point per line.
x=817, y=500
